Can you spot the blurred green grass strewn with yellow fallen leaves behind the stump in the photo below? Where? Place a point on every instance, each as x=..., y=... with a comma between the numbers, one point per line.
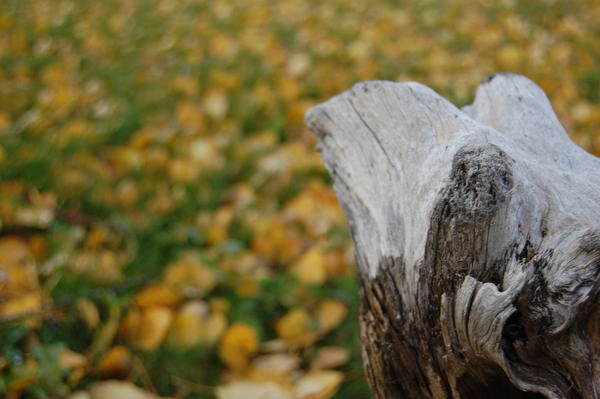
x=166, y=225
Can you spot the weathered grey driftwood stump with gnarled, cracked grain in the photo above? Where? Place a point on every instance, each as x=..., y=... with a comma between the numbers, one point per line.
x=477, y=235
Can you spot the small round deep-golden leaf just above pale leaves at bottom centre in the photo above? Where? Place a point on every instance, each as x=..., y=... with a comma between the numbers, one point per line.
x=238, y=344
